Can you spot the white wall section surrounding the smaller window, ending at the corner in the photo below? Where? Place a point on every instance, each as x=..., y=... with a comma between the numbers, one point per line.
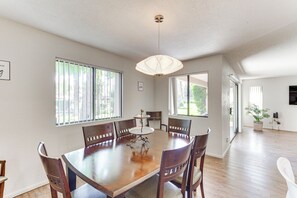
x=213, y=65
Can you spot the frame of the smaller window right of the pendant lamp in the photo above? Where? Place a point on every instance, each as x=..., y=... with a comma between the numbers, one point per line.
x=187, y=75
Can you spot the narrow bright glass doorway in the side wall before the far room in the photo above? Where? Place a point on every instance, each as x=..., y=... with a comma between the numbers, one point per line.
x=233, y=112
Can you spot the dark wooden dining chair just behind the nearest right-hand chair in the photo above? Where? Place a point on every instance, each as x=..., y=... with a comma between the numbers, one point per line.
x=195, y=174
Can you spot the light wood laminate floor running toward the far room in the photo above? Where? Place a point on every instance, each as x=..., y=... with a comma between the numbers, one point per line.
x=247, y=171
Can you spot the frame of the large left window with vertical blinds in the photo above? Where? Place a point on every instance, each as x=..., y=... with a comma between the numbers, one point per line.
x=94, y=68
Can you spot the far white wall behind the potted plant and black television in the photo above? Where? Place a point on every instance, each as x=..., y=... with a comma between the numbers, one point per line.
x=276, y=98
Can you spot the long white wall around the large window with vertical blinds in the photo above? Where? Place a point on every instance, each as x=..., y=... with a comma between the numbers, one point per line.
x=27, y=101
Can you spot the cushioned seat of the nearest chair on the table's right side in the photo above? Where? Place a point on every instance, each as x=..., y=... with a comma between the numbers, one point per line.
x=148, y=189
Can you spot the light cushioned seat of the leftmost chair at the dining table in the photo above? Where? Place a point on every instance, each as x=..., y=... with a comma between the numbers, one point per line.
x=87, y=191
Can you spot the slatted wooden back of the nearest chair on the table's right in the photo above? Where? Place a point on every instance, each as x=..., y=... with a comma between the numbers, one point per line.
x=174, y=163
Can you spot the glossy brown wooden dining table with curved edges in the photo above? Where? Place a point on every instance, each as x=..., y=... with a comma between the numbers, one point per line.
x=116, y=166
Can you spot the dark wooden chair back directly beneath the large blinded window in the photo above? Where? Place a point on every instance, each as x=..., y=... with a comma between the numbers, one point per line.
x=98, y=133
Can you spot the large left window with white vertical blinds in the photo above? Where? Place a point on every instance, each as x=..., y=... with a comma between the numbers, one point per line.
x=85, y=93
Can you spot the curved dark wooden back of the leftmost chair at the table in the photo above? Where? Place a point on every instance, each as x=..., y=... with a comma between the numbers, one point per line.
x=55, y=173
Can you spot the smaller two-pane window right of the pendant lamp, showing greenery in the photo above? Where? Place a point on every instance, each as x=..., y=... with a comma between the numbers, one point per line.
x=188, y=95
